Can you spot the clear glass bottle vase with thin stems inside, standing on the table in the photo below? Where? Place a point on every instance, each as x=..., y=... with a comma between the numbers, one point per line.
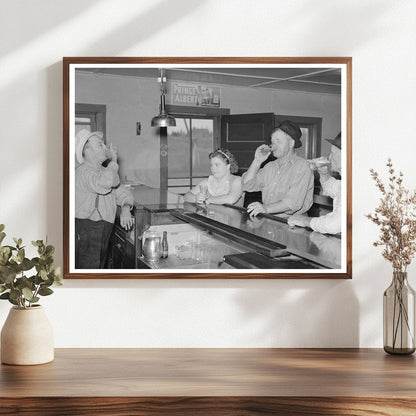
x=399, y=316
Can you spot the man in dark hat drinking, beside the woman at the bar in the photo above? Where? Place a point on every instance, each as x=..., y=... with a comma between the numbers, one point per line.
x=286, y=183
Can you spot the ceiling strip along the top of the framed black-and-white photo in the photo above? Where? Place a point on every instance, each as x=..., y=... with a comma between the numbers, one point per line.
x=316, y=79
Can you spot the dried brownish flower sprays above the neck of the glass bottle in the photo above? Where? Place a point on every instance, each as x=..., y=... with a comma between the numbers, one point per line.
x=396, y=216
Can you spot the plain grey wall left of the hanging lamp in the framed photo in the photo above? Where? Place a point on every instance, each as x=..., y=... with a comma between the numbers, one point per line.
x=127, y=101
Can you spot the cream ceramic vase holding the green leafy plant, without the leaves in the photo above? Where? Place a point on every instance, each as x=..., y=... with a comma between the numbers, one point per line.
x=27, y=337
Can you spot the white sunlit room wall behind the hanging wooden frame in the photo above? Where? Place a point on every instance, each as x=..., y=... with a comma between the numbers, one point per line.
x=378, y=34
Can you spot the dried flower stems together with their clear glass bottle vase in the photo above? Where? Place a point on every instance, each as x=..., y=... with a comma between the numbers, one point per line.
x=396, y=217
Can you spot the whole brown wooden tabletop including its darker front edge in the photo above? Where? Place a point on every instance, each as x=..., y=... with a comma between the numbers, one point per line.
x=212, y=382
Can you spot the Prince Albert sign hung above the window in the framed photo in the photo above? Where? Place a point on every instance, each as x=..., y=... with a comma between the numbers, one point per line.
x=195, y=95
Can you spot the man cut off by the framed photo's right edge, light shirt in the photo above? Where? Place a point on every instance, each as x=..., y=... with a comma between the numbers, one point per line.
x=331, y=222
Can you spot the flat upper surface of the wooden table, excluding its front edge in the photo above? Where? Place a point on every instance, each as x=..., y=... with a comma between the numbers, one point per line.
x=214, y=373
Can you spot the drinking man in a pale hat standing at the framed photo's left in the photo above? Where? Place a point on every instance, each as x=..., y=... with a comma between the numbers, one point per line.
x=97, y=194
